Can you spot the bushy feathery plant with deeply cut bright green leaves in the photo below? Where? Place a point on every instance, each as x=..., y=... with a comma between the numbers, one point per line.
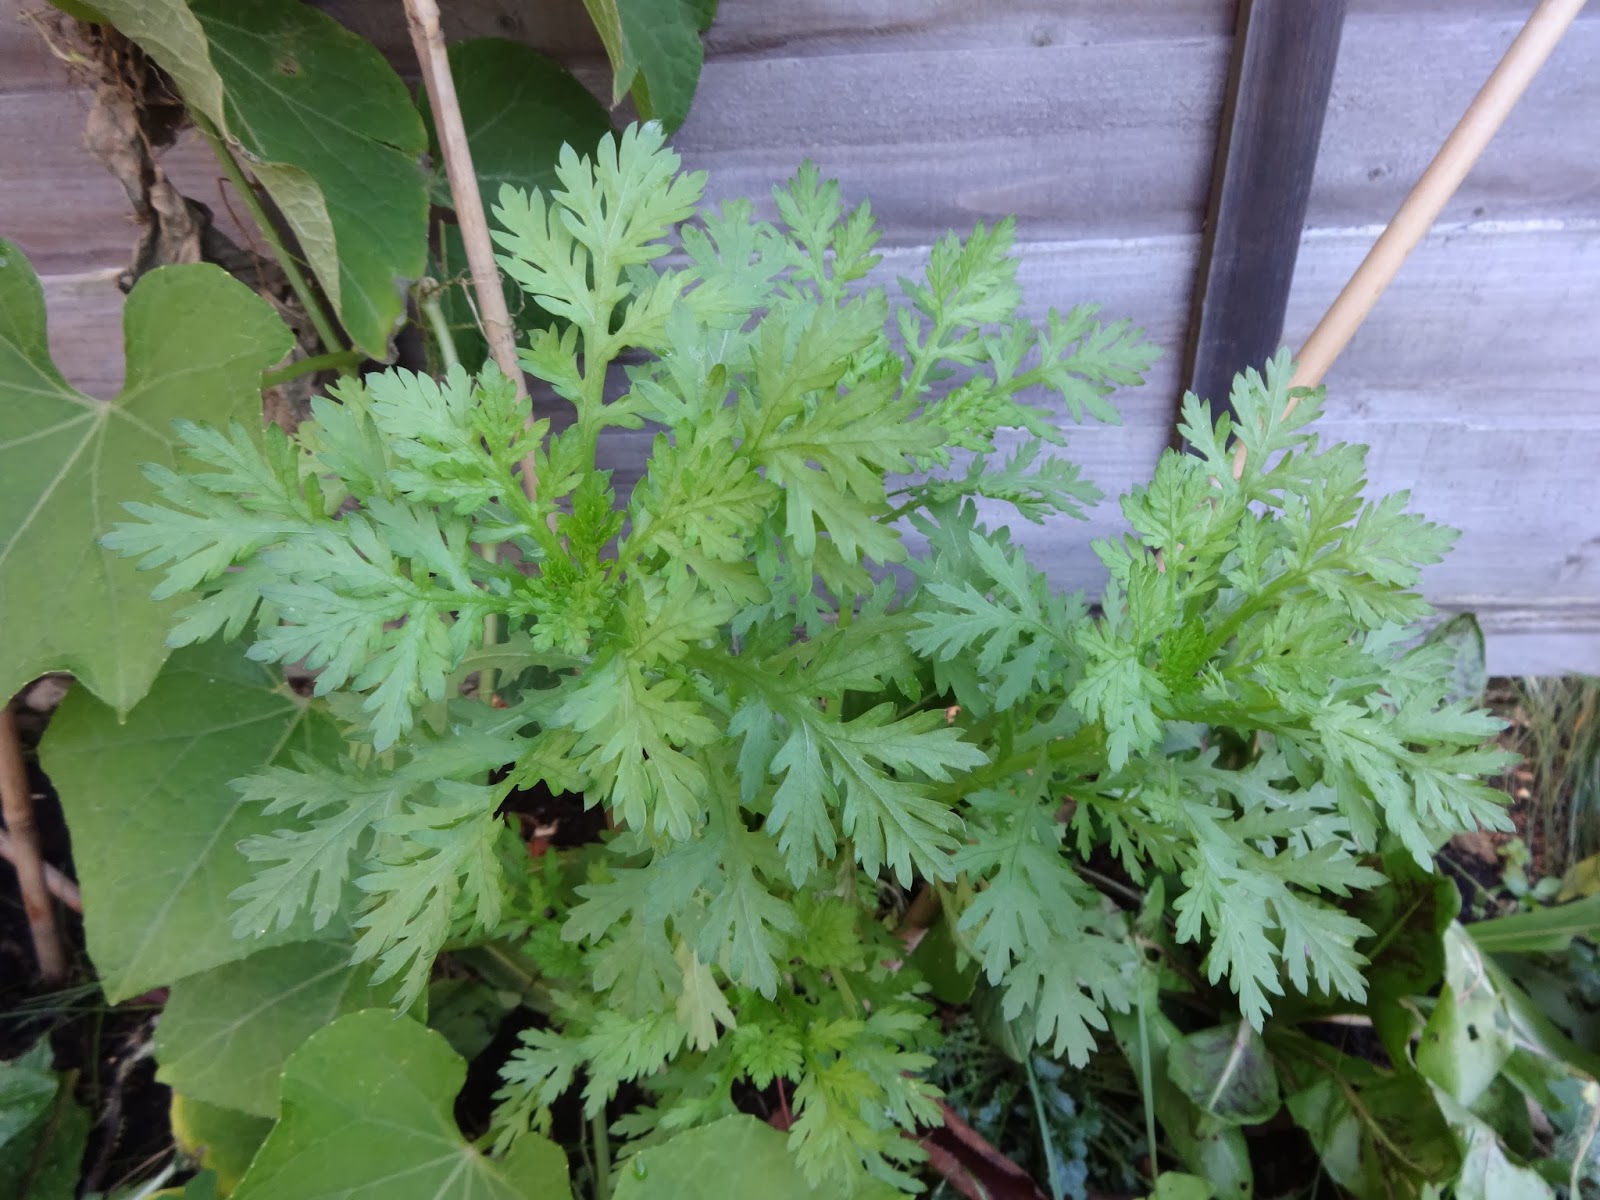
x=786, y=735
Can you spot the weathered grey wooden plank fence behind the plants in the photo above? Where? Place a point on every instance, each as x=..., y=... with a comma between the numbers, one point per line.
x=1476, y=382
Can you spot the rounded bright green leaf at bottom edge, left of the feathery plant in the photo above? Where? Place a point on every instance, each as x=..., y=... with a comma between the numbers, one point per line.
x=388, y=1086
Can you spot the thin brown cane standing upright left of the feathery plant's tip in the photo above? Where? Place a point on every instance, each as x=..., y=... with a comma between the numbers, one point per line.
x=428, y=41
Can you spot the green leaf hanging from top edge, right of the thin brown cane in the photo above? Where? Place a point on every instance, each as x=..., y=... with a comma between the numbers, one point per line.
x=655, y=52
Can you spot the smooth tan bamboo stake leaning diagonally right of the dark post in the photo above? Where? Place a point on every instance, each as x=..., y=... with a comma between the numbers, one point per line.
x=1428, y=199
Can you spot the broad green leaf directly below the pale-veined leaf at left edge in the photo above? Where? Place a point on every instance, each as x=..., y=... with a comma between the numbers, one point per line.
x=150, y=804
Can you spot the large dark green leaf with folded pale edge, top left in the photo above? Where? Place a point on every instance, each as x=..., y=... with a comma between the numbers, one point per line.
x=324, y=124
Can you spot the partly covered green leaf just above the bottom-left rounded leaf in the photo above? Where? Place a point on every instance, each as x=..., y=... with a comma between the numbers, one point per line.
x=225, y=1034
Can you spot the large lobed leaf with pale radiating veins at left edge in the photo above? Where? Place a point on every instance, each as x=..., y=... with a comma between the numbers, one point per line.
x=198, y=345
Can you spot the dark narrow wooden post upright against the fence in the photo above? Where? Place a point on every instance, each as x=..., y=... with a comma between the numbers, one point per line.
x=1284, y=57
